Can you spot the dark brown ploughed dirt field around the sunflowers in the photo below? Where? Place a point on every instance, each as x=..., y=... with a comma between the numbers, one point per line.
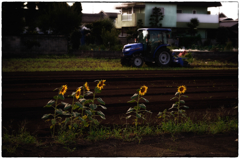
x=24, y=94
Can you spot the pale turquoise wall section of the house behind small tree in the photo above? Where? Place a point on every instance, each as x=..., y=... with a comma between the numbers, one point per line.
x=170, y=15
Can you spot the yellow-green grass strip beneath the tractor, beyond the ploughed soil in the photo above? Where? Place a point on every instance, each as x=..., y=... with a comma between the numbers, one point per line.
x=68, y=63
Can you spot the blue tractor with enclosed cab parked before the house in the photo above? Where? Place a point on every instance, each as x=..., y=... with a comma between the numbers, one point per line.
x=150, y=47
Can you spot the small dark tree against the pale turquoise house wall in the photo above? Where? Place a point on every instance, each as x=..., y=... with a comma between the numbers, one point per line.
x=156, y=17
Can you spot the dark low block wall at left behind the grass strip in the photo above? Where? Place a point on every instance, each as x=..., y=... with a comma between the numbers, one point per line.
x=44, y=44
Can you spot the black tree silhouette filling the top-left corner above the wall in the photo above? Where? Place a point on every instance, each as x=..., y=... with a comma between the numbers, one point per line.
x=12, y=18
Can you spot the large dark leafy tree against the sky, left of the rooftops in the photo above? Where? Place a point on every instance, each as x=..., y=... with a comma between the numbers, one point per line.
x=59, y=17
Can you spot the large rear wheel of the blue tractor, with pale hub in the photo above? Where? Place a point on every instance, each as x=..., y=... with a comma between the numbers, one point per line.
x=163, y=57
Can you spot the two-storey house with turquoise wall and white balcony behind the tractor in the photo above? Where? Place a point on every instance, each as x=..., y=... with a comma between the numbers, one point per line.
x=176, y=16
